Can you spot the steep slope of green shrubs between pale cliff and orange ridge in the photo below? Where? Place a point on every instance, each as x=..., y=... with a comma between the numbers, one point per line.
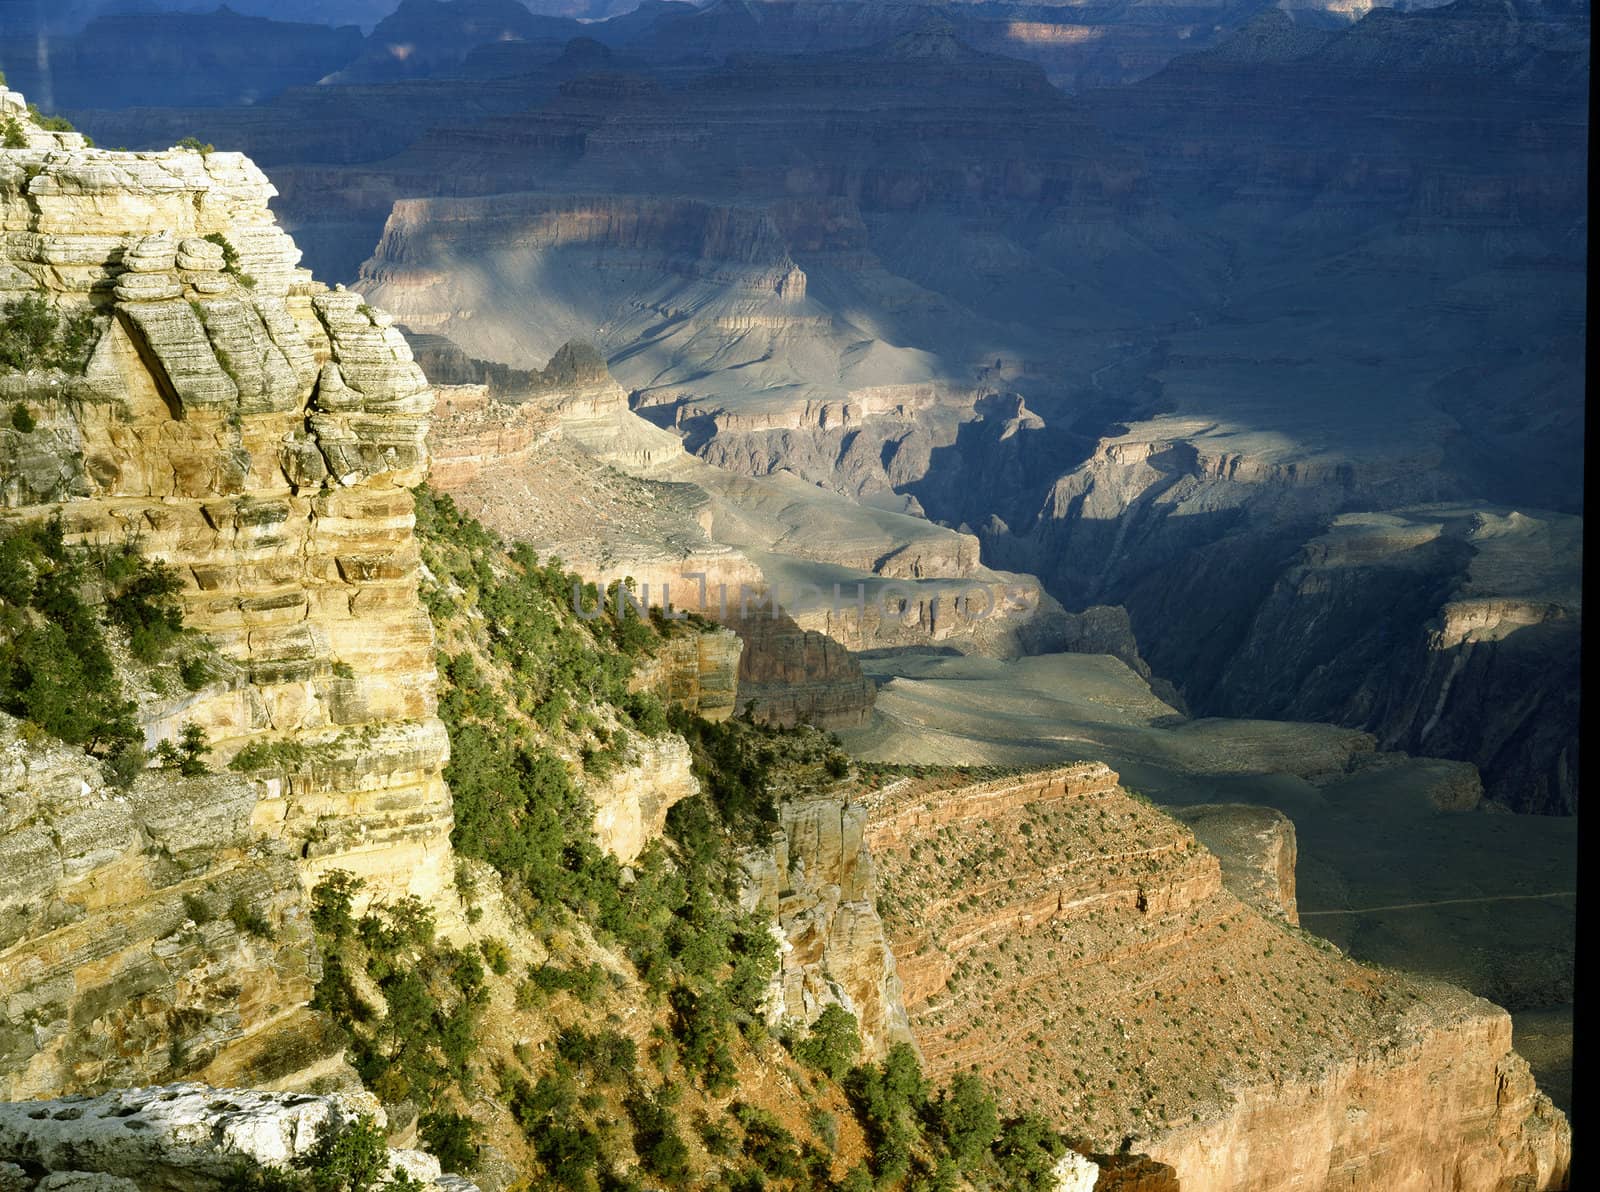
x=615, y=1038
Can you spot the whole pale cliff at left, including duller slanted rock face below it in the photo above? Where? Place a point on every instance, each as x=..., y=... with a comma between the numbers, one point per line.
x=258, y=434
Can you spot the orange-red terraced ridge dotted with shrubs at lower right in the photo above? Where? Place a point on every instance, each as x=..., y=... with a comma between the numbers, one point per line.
x=1081, y=950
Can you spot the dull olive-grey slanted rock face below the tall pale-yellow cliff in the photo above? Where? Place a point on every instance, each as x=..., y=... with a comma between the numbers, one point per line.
x=129, y=924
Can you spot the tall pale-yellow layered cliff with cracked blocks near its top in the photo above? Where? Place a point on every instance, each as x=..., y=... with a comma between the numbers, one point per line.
x=258, y=433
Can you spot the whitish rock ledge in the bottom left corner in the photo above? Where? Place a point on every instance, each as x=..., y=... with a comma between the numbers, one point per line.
x=180, y=1138
